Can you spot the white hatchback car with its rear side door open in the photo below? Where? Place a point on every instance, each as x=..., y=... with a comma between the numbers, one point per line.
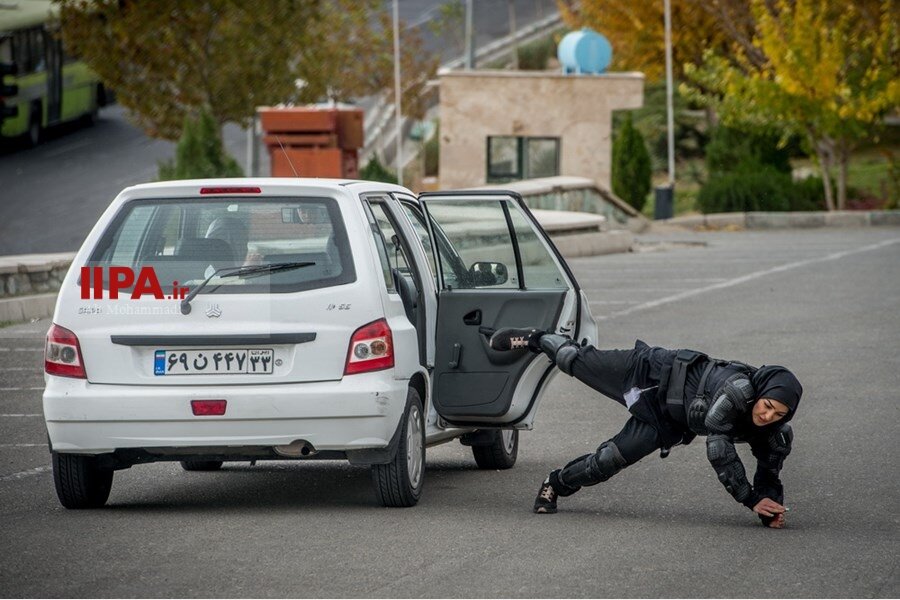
x=254, y=319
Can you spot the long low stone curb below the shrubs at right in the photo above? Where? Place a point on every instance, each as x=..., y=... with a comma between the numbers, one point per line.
x=782, y=220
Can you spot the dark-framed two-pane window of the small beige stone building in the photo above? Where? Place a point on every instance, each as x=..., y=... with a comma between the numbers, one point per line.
x=513, y=158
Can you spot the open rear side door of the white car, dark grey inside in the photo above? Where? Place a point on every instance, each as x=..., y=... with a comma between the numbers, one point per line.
x=496, y=268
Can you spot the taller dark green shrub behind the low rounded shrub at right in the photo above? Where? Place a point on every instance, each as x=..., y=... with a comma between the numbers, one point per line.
x=730, y=149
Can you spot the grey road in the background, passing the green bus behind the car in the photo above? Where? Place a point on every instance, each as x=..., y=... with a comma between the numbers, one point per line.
x=51, y=195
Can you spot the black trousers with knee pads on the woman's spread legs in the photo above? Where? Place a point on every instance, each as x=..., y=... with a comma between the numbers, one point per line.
x=613, y=373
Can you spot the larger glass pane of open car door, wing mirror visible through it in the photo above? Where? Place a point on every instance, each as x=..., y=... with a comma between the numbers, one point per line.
x=480, y=252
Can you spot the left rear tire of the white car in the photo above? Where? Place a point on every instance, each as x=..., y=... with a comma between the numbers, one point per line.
x=80, y=482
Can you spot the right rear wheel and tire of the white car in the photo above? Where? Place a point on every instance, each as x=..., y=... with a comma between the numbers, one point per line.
x=399, y=482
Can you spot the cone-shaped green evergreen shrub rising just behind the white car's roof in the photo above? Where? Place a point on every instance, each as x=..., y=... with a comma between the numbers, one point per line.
x=200, y=153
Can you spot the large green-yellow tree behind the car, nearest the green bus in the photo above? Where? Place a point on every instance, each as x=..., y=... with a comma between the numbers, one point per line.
x=166, y=59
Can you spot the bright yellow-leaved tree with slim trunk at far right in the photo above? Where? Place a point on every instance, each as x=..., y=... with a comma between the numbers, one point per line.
x=830, y=73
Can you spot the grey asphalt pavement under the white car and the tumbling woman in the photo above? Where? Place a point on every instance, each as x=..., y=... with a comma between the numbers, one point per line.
x=824, y=302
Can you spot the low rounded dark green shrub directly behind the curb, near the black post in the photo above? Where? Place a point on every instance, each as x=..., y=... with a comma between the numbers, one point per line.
x=763, y=188
